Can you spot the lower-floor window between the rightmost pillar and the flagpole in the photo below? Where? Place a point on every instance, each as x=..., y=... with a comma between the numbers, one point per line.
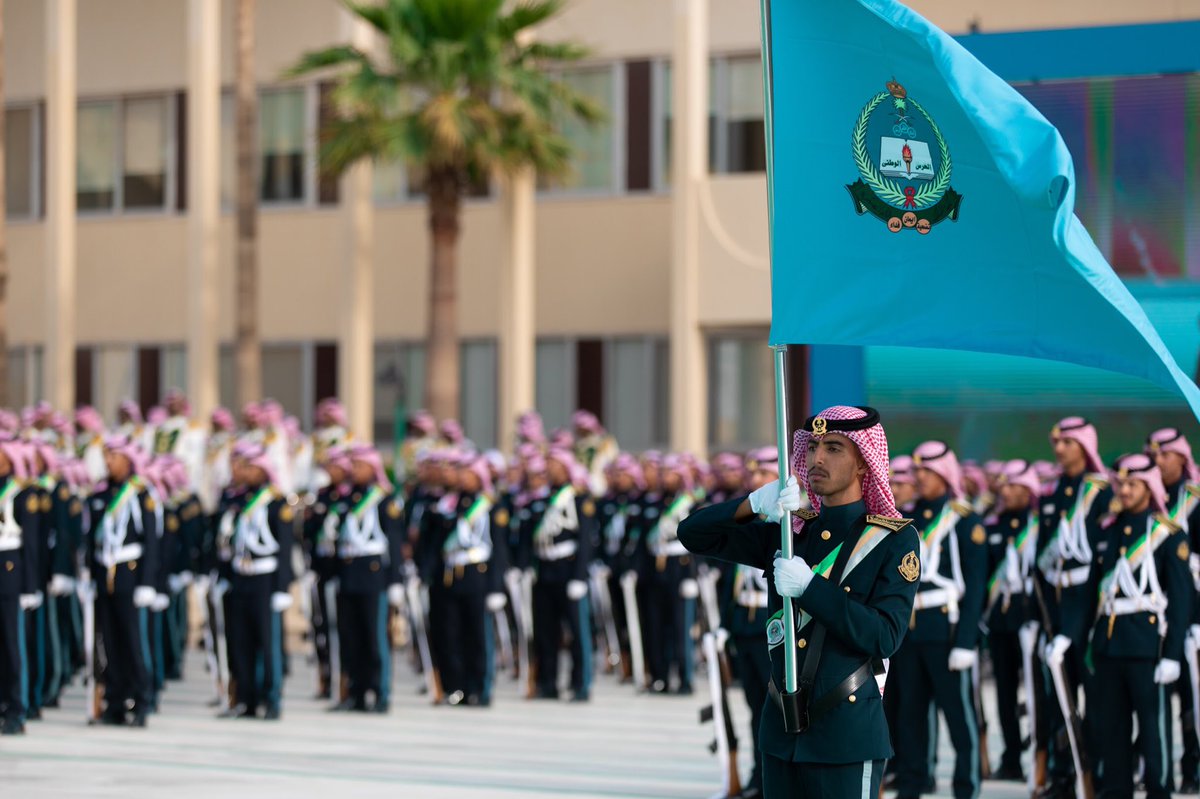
x=741, y=397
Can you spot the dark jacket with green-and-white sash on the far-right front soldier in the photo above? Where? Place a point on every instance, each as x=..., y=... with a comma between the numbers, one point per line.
x=1141, y=634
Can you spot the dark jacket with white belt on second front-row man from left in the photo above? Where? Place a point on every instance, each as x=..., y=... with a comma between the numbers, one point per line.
x=135, y=526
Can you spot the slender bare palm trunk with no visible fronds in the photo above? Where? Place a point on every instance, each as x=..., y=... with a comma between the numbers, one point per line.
x=249, y=353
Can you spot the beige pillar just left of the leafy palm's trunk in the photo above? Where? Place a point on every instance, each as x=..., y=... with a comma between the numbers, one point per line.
x=356, y=343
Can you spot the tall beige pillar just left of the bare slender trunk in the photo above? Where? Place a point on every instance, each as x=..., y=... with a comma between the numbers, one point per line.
x=203, y=203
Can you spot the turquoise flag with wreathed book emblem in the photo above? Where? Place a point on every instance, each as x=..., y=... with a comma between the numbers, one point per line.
x=919, y=201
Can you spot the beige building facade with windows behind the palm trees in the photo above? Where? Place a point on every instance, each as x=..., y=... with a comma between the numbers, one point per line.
x=605, y=250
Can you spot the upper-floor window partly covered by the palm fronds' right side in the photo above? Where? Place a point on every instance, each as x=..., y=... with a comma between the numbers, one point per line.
x=595, y=164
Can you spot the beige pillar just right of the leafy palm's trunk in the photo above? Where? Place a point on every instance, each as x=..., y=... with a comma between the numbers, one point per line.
x=518, y=323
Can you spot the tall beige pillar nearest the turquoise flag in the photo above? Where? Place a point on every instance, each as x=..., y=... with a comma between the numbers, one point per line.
x=689, y=395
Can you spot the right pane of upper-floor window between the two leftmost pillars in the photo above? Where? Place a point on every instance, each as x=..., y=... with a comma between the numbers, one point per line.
x=147, y=122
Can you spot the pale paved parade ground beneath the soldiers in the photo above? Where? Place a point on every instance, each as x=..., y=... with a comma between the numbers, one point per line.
x=620, y=746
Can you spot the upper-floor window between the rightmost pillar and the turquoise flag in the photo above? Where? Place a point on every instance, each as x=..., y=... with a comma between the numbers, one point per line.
x=737, y=143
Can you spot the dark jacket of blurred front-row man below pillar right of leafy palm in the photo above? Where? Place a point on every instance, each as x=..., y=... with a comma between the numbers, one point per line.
x=575, y=530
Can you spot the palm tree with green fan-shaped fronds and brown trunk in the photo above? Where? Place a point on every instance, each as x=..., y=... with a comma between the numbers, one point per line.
x=461, y=92
